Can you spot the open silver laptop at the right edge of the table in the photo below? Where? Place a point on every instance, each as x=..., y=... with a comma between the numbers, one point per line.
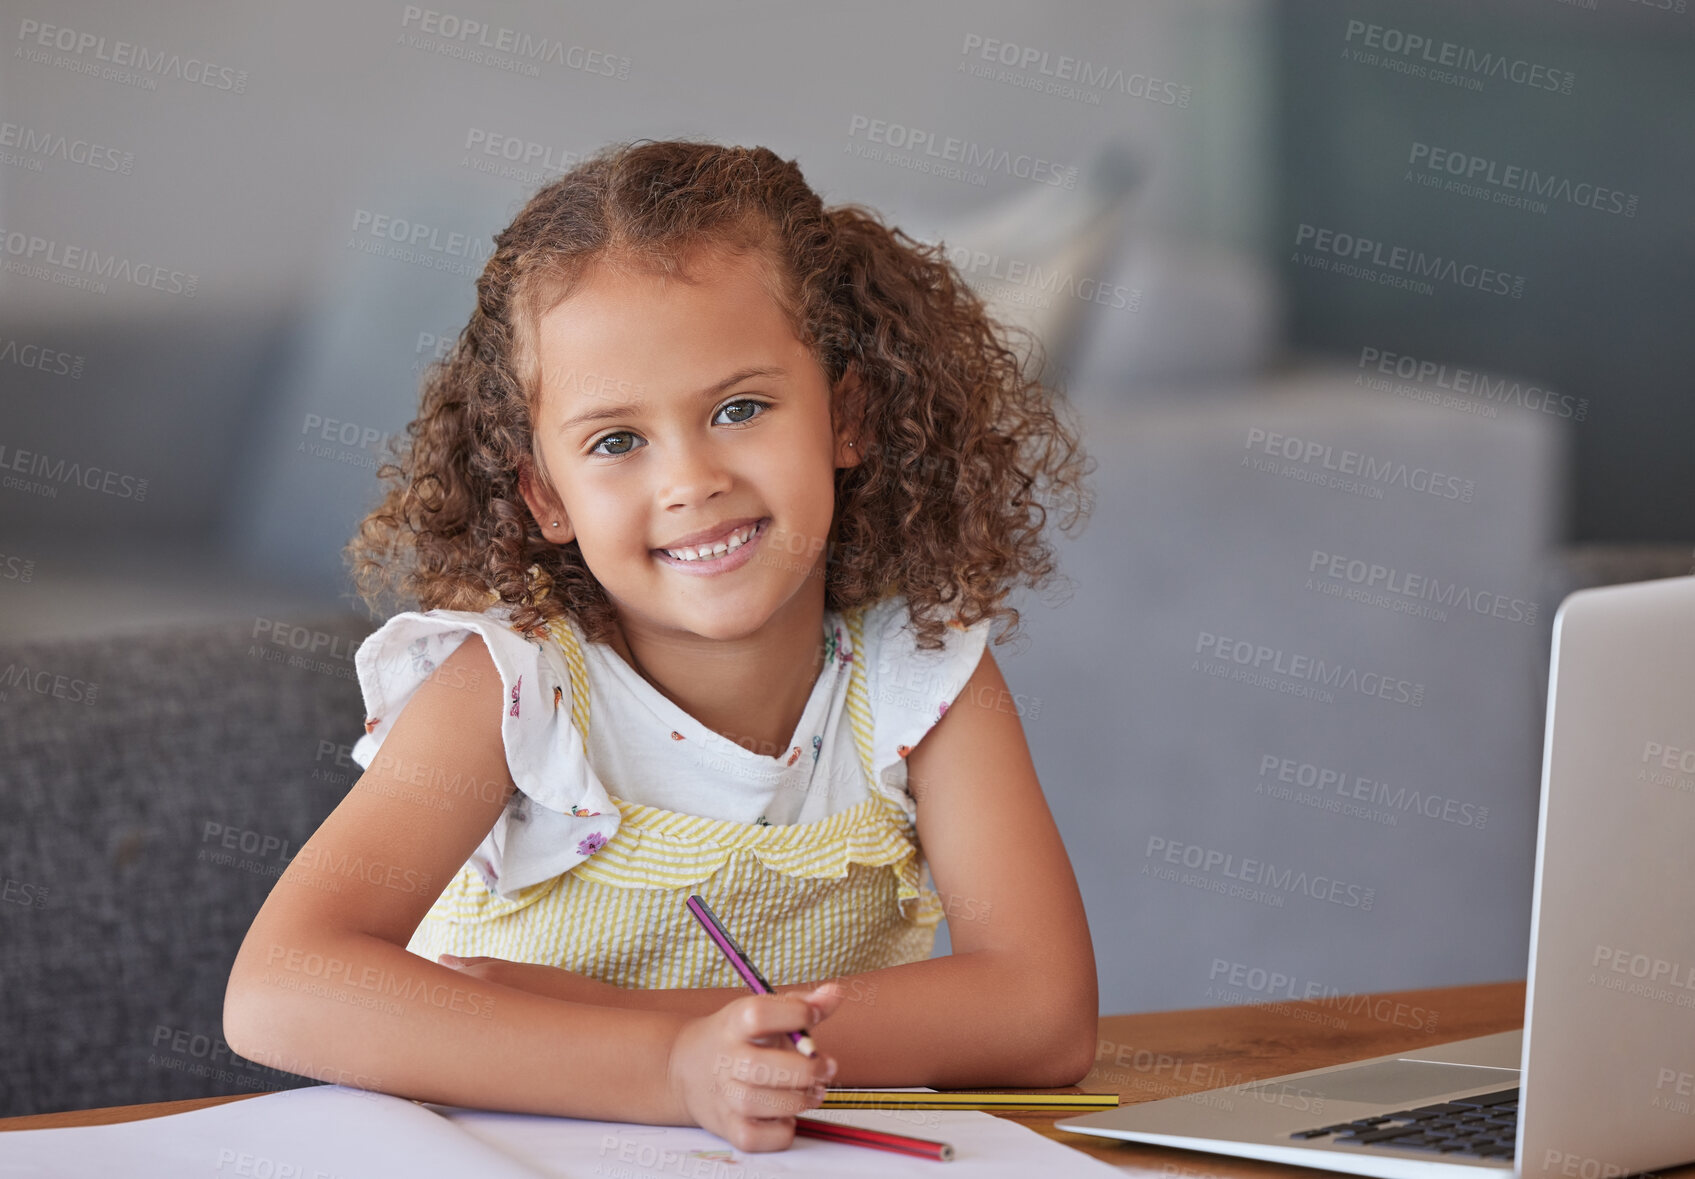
x=1601, y=1082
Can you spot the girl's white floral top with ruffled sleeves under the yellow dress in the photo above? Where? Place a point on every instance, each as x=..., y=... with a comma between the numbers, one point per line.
x=645, y=750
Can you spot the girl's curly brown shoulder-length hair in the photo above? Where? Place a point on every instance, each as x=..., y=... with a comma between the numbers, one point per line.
x=964, y=453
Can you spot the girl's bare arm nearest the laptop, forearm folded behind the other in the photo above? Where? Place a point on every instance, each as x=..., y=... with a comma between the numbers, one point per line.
x=1016, y=1004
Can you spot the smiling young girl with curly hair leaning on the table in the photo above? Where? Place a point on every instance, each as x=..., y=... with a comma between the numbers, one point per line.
x=708, y=514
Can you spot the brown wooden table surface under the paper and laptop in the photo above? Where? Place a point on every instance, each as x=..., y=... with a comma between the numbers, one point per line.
x=1165, y=1054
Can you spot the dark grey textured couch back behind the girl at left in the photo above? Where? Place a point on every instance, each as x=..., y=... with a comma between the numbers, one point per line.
x=152, y=790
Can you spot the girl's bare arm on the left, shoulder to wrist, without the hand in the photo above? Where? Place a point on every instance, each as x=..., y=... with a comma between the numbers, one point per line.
x=325, y=985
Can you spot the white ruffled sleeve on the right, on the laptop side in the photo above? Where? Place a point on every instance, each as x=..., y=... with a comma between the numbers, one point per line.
x=911, y=689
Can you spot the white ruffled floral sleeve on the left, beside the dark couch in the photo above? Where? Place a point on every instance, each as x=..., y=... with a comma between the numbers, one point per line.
x=562, y=814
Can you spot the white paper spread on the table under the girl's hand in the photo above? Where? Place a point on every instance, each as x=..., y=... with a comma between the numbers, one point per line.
x=336, y=1132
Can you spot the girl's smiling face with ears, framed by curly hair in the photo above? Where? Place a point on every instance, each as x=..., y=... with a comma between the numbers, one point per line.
x=682, y=414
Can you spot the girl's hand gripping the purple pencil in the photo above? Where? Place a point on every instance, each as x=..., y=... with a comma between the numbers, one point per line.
x=738, y=1075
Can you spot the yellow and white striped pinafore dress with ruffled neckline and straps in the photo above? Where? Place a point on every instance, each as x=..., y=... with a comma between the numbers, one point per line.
x=808, y=902
